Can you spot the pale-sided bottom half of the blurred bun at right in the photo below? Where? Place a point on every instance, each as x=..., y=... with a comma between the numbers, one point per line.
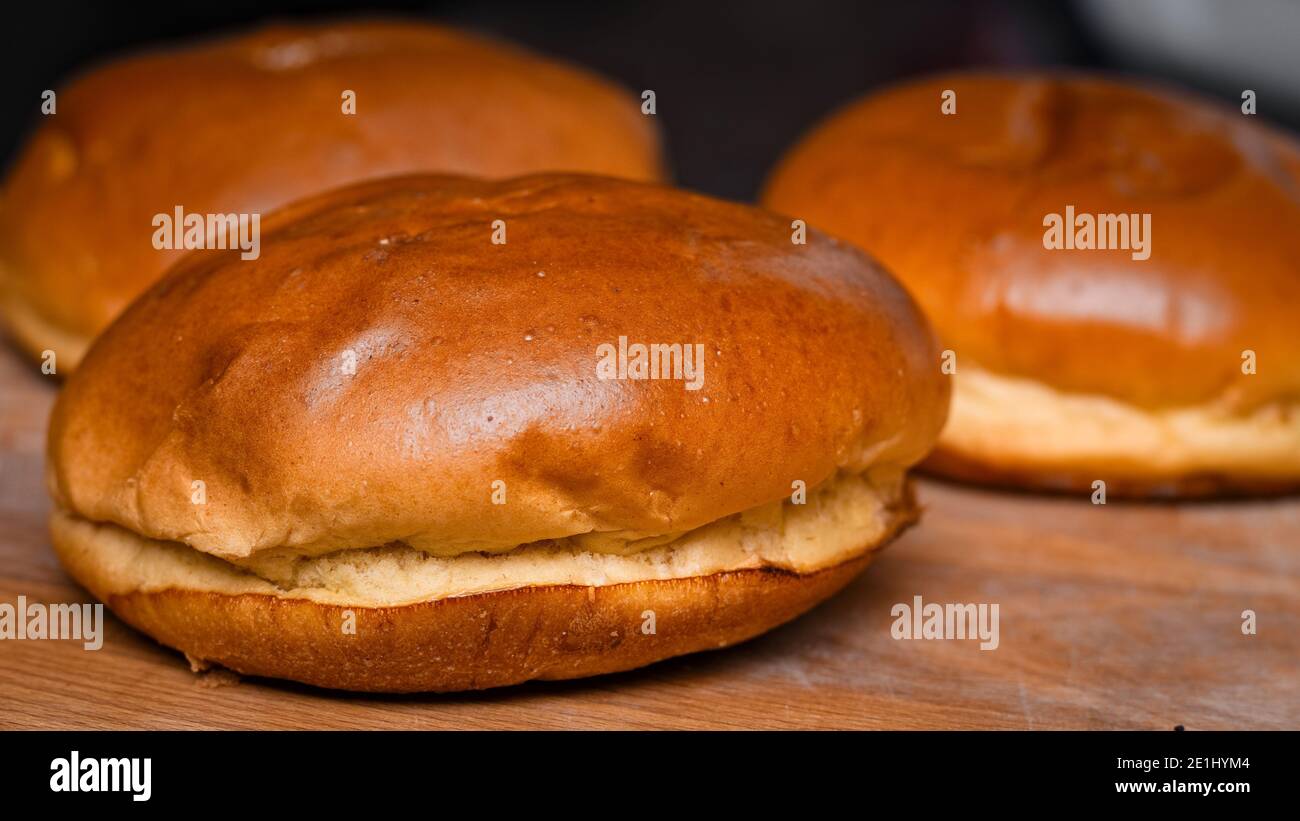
x=1019, y=433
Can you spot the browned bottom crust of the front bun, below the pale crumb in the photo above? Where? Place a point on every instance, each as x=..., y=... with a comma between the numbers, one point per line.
x=470, y=642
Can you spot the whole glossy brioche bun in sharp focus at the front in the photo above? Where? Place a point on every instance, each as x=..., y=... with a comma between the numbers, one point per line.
x=476, y=363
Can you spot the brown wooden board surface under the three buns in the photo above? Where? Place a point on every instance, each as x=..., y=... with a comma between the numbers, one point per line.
x=1116, y=616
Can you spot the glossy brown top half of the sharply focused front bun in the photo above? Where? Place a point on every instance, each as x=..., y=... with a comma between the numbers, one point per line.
x=384, y=364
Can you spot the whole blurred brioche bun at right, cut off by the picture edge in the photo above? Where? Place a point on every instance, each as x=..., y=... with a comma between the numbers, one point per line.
x=1076, y=366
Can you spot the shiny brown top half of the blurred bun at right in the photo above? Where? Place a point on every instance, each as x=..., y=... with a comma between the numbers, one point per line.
x=956, y=207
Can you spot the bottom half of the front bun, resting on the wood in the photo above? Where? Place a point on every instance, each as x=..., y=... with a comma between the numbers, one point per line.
x=216, y=614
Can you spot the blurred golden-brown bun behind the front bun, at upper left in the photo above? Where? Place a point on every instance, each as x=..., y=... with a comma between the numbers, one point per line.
x=252, y=123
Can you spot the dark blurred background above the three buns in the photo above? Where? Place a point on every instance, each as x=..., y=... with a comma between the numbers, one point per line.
x=736, y=81
